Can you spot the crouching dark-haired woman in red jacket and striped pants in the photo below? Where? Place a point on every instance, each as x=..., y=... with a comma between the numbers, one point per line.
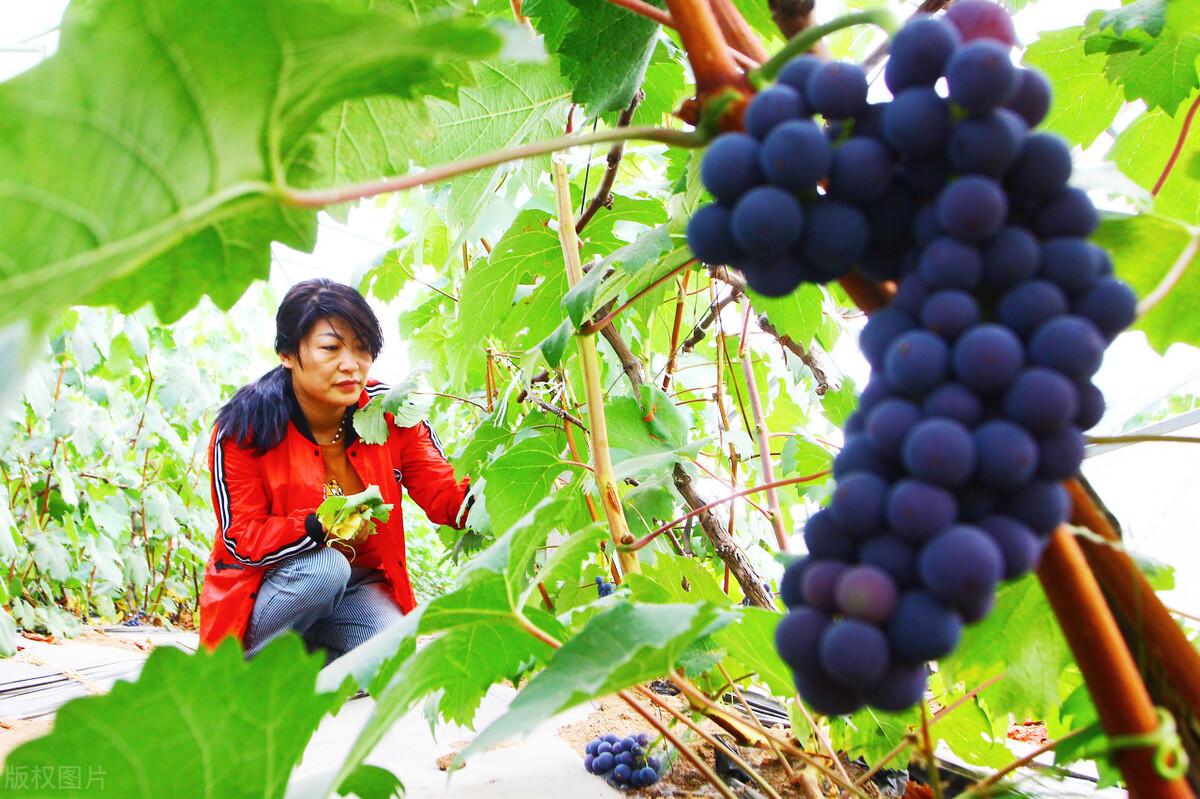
x=284, y=444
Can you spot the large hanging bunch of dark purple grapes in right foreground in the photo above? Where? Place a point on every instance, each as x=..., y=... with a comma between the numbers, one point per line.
x=950, y=480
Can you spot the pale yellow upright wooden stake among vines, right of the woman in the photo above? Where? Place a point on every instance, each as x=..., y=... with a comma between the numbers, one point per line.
x=605, y=480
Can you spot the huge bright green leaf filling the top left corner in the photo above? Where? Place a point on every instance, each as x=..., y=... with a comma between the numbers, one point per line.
x=176, y=148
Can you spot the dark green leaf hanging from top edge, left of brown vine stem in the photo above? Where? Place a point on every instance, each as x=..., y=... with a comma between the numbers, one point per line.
x=603, y=50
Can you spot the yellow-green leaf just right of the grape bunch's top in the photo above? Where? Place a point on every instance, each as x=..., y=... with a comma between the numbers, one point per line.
x=1084, y=101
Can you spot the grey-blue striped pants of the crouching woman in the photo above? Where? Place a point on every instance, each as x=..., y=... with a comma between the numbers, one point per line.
x=319, y=594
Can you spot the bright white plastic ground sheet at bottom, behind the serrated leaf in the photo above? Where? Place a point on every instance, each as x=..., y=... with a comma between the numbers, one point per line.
x=542, y=765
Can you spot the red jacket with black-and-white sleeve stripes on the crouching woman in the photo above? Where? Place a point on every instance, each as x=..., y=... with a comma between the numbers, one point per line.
x=263, y=507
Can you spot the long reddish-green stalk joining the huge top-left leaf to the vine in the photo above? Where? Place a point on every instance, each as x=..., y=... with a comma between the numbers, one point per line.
x=323, y=197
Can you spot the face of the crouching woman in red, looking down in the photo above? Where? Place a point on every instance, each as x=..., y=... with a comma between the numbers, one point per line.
x=333, y=365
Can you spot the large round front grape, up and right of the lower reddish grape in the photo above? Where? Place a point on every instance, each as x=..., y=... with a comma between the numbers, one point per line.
x=961, y=566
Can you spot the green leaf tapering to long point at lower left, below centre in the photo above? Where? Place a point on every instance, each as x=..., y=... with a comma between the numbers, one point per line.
x=623, y=646
